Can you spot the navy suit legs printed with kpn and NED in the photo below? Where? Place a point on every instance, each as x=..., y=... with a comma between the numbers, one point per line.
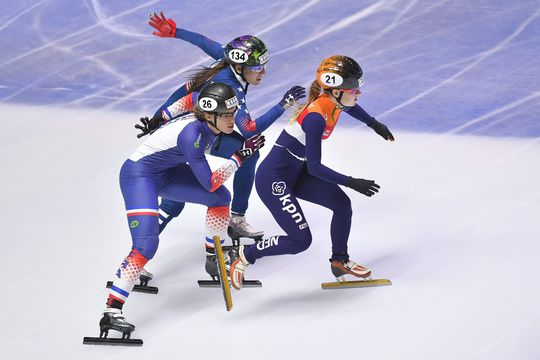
x=281, y=180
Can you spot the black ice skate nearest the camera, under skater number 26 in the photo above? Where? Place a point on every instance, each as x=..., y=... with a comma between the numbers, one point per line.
x=113, y=319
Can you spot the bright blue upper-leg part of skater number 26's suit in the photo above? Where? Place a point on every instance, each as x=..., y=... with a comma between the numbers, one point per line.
x=141, y=192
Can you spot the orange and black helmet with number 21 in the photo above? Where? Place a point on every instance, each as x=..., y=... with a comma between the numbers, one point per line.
x=339, y=72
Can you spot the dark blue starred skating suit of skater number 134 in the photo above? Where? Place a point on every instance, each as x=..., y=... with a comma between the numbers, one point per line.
x=243, y=180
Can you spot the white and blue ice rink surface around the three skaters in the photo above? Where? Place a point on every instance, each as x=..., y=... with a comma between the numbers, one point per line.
x=455, y=226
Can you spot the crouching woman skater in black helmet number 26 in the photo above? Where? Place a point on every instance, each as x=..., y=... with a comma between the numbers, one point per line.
x=172, y=163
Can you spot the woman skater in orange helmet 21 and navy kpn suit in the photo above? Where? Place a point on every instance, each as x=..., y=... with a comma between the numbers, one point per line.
x=293, y=170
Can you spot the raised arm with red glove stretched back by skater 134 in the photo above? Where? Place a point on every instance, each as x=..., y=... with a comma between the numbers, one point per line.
x=167, y=28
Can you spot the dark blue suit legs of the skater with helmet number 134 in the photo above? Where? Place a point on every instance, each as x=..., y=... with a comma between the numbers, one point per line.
x=242, y=183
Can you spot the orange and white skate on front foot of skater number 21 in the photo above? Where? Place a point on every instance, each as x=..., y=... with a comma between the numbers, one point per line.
x=341, y=268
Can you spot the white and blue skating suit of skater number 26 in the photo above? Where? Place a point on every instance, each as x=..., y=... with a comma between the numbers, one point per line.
x=172, y=163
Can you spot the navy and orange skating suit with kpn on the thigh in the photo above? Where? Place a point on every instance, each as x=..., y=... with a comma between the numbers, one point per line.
x=293, y=170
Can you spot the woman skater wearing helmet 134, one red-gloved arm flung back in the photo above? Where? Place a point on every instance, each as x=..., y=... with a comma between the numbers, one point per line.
x=242, y=62
